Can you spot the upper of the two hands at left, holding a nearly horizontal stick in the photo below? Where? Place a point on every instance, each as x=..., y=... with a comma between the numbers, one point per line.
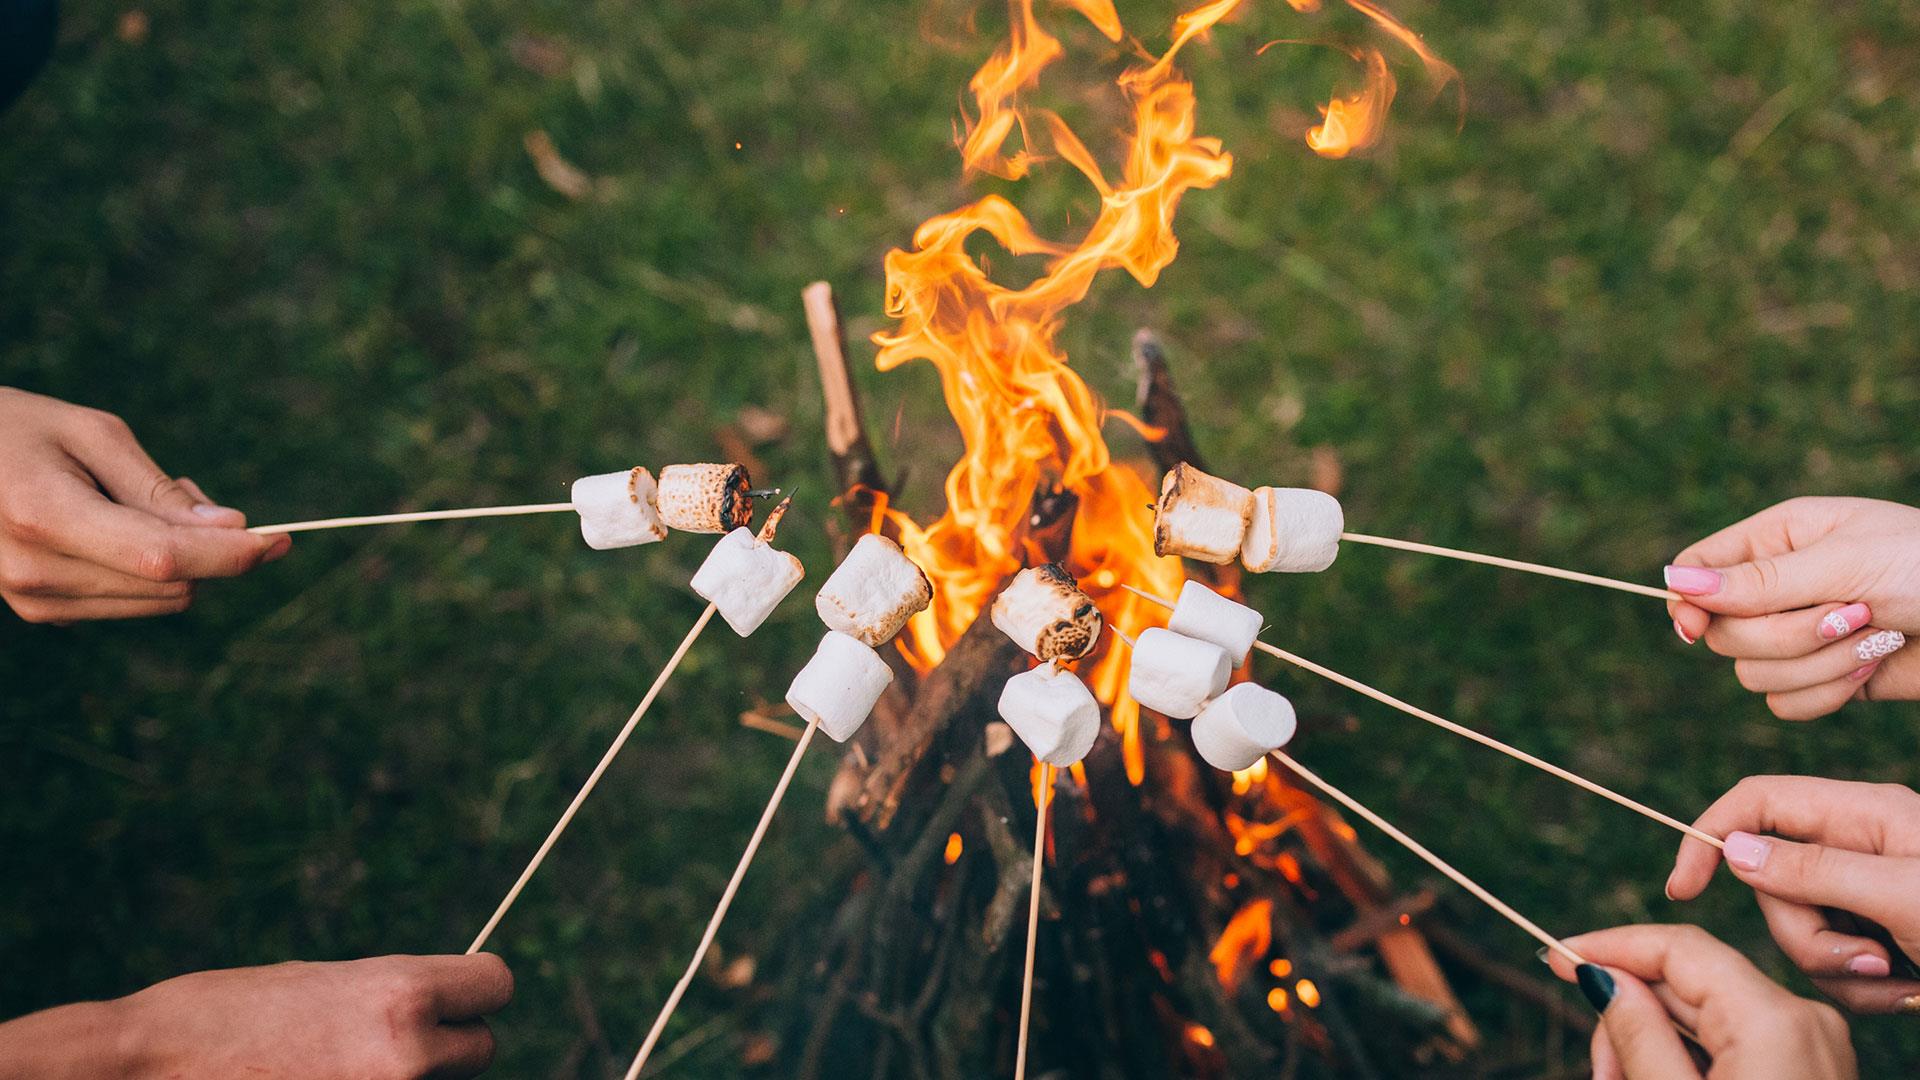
x=93, y=529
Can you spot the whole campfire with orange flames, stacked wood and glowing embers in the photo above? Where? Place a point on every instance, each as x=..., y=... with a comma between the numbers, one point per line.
x=1195, y=923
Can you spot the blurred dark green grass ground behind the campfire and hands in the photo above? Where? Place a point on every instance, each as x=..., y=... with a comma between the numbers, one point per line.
x=1666, y=274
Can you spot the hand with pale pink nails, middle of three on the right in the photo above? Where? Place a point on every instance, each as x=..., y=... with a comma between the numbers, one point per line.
x=1856, y=848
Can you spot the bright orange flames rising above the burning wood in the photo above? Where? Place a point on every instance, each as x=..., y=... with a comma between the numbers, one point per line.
x=1028, y=422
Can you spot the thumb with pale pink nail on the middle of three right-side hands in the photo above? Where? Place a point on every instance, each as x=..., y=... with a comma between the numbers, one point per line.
x=1873, y=887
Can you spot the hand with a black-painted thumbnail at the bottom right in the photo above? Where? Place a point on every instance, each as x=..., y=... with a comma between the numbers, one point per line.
x=1650, y=977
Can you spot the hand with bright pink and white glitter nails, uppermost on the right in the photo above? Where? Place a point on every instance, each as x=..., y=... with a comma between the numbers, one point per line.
x=1813, y=599
